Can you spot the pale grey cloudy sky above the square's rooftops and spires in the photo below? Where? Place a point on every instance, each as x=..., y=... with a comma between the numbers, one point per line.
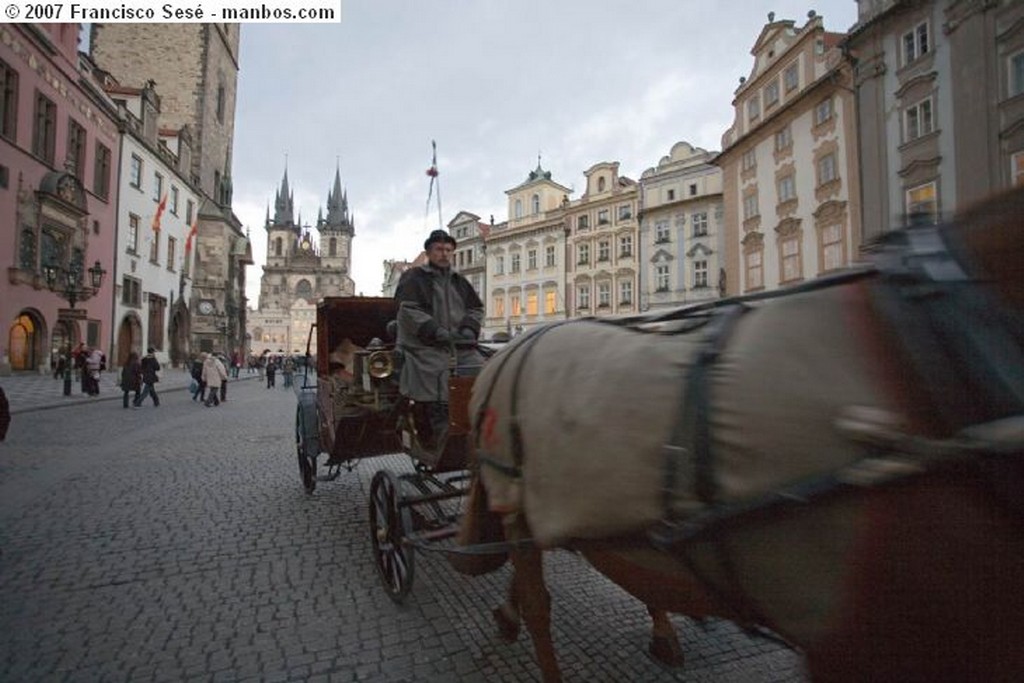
x=496, y=83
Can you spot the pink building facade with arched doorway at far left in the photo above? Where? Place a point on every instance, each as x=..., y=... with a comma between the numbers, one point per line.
x=60, y=149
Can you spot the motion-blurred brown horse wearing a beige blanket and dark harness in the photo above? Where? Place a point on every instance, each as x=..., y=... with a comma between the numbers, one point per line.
x=840, y=463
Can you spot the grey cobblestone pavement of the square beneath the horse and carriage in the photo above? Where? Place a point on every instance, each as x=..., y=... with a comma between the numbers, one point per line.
x=178, y=544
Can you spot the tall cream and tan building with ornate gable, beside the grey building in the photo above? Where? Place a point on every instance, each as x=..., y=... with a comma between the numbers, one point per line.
x=790, y=169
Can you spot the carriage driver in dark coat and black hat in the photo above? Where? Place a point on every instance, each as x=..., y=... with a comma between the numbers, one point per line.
x=438, y=310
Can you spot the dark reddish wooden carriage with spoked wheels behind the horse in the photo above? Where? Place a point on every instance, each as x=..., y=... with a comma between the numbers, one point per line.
x=353, y=410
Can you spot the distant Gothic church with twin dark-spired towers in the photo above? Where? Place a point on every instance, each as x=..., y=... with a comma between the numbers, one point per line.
x=302, y=270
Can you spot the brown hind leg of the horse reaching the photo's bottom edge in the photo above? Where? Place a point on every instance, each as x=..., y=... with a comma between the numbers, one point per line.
x=532, y=597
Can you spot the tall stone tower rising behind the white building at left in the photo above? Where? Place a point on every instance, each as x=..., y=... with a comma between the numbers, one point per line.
x=196, y=67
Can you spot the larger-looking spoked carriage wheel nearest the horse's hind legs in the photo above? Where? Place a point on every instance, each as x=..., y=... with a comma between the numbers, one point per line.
x=390, y=523
